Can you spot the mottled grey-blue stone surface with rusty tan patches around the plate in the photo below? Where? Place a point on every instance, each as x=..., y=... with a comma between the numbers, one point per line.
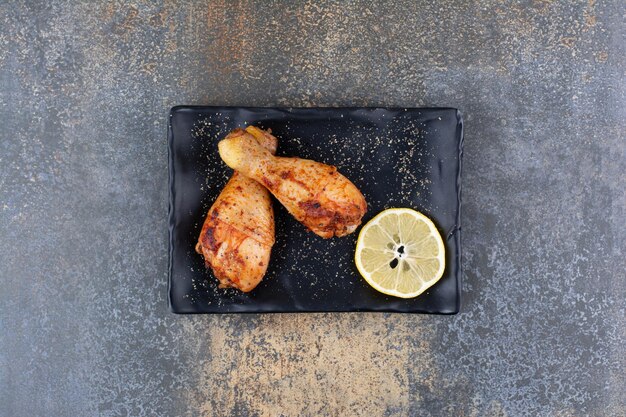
x=85, y=88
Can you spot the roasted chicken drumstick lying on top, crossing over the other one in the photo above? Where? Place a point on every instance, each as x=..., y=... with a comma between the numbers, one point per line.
x=316, y=194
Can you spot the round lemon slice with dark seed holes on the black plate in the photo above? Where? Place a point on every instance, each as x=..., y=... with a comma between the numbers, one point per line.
x=400, y=252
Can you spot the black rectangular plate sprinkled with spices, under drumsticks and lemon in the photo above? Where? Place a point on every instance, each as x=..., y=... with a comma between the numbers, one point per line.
x=396, y=157
